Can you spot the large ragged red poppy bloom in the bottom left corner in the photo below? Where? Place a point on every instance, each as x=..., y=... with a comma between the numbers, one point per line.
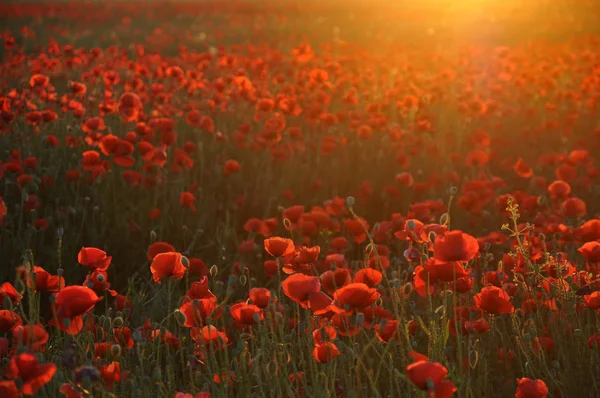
x=32, y=374
